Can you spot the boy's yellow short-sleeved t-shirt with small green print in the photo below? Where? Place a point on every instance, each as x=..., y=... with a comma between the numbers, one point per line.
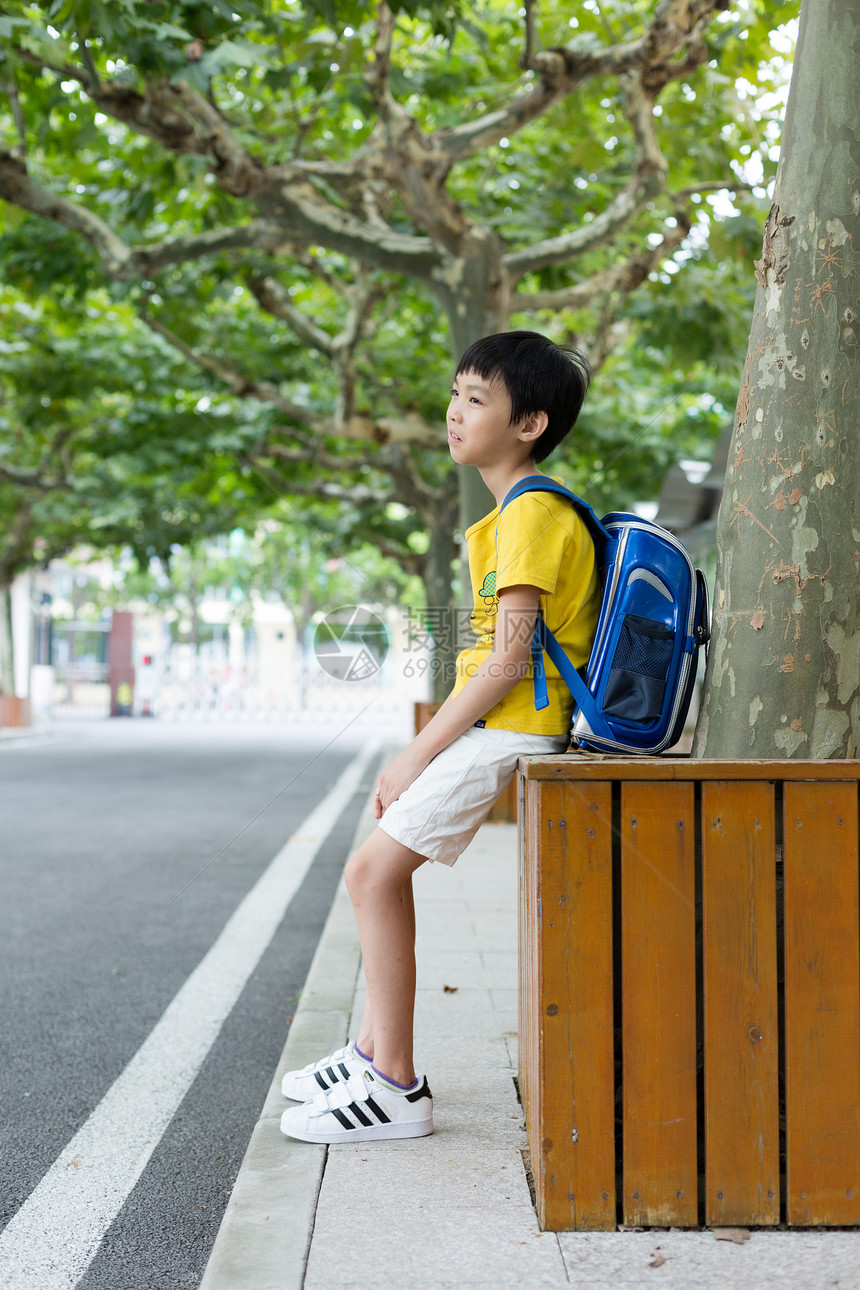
x=542, y=542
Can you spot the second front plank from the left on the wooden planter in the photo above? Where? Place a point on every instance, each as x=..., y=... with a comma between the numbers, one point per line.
x=660, y=1004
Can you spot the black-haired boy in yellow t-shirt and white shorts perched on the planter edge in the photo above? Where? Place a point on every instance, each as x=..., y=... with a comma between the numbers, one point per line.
x=515, y=398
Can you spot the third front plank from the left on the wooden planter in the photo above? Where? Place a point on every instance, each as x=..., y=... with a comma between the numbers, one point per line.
x=741, y=1018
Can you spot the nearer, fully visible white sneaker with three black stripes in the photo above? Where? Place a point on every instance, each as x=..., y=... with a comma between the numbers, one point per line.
x=363, y=1110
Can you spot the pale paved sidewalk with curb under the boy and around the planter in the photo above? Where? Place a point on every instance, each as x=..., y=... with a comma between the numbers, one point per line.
x=454, y=1211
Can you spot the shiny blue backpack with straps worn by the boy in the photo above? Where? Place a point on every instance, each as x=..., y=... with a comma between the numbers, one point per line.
x=653, y=622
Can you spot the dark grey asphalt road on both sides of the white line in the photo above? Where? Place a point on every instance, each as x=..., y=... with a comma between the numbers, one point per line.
x=124, y=851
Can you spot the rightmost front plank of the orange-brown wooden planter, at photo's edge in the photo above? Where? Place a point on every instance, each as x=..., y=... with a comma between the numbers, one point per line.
x=822, y=1006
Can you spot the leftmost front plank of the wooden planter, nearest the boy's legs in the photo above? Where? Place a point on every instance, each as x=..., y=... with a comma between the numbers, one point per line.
x=573, y=1144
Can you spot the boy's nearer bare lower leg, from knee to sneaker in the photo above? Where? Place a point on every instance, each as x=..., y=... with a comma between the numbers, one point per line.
x=380, y=880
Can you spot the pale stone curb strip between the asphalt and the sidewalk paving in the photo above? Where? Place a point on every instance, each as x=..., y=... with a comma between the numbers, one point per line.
x=265, y=1236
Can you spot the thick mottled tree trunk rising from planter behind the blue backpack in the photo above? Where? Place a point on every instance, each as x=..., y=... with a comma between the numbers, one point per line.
x=785, y=670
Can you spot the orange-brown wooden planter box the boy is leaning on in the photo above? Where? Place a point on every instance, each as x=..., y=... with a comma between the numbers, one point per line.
x=690, y=991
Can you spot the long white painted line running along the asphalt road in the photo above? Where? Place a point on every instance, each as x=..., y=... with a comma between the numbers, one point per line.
x=57, y=1233
